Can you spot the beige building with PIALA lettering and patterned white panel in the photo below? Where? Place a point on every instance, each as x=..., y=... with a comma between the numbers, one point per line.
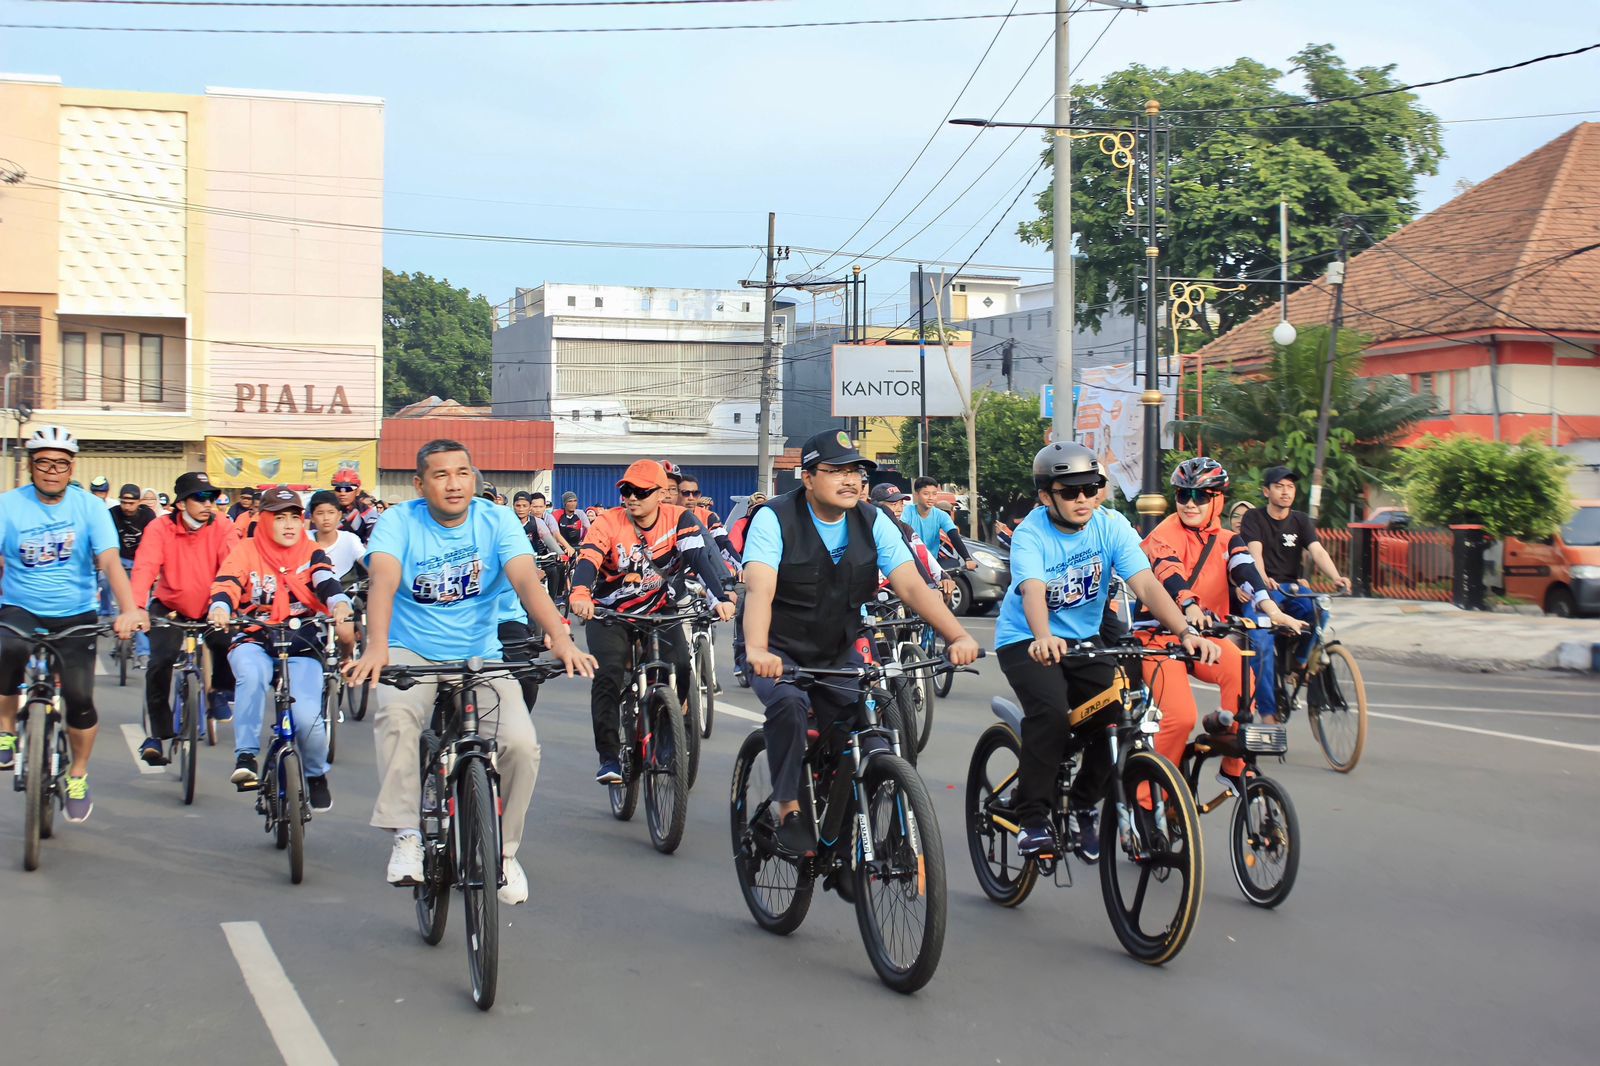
x=193, y=279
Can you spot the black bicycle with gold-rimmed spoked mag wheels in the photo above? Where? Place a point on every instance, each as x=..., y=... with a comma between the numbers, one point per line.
x=1158, y=844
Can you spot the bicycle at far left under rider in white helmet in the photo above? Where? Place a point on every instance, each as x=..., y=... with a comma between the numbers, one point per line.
x=42, y=751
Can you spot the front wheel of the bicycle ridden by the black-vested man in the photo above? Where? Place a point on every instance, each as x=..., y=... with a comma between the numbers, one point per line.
x=900, y=876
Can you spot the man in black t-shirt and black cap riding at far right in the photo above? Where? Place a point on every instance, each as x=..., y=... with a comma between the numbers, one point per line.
x=1279, y=537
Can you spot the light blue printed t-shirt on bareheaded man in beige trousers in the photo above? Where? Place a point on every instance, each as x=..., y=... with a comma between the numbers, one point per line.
x=452, y=579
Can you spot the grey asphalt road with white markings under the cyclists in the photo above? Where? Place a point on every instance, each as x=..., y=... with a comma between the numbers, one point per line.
x=1446, y=913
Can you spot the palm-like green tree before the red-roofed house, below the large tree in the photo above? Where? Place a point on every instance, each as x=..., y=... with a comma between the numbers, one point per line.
x=1250, y=425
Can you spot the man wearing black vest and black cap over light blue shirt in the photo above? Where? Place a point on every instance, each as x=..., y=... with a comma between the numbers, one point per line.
x=810, y=561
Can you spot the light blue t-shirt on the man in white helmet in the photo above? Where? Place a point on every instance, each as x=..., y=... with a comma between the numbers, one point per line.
x=50, y=551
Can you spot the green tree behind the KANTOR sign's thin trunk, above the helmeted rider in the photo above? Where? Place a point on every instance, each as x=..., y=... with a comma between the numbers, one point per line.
x=1010, y=431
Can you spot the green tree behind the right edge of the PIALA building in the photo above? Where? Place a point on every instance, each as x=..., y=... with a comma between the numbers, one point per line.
x=436, y=342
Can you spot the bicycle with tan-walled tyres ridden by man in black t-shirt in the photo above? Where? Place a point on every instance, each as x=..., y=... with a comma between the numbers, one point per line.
x=1329, y=679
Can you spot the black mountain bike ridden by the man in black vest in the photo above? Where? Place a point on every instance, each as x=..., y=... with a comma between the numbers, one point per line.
x=878, y=832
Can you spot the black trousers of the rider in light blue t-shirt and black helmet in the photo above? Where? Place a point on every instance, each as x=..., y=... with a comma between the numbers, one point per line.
x=1047, y=695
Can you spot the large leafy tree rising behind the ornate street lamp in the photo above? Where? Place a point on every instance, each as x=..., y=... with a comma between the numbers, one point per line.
x=1231, y=169
